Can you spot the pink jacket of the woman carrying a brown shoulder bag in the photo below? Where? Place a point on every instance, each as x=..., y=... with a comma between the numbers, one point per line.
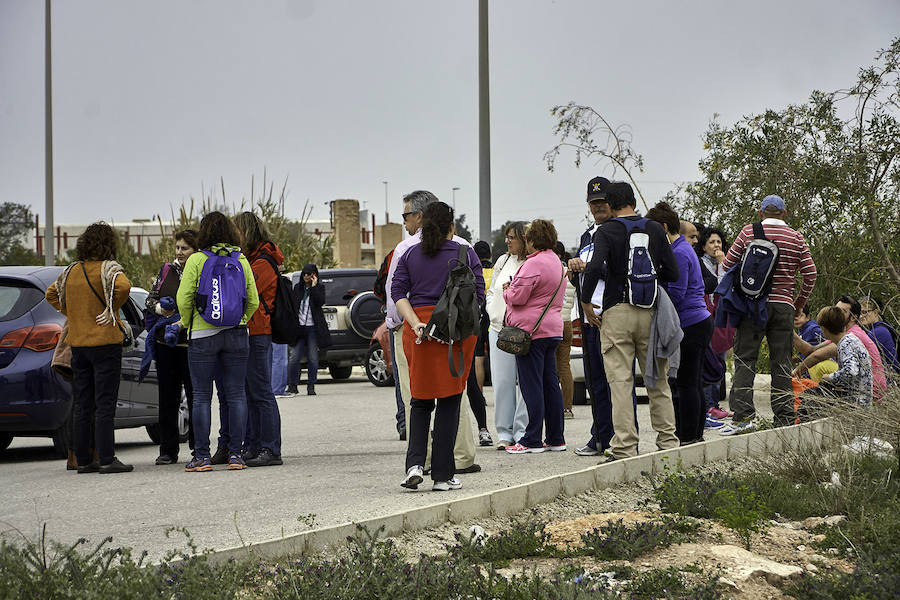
x=531, y=289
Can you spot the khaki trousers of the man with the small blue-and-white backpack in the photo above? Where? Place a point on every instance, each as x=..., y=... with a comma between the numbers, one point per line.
x=624, y=336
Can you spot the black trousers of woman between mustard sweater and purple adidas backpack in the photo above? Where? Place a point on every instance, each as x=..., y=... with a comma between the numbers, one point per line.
x=173, y=375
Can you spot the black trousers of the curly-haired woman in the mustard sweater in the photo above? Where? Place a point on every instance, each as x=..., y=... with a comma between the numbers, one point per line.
x=95, y=389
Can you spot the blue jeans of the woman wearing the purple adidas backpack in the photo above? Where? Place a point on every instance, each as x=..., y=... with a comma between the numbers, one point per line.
x=222, y=356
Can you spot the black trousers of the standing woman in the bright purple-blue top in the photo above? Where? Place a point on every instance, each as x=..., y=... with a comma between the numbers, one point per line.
x=690, y=404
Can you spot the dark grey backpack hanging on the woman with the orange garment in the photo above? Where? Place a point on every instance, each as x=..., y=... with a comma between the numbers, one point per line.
x=456, y=315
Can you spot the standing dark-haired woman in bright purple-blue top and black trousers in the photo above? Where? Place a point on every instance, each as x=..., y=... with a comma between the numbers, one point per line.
x=687, y=296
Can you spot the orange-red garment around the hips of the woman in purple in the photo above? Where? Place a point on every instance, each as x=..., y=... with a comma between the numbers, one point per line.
x=429, y=366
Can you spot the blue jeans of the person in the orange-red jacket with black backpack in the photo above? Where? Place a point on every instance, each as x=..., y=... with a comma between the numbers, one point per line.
x=263, y=422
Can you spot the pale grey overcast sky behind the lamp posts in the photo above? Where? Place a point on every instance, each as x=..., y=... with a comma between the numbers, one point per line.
x=154, y=98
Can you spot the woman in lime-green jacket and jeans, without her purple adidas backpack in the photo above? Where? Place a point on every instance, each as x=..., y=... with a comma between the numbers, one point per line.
x=216, y=352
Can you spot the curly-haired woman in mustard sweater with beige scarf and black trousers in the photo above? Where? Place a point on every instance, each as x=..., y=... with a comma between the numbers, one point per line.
x=90, y=292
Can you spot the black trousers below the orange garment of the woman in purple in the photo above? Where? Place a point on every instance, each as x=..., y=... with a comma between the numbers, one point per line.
x=446, y=422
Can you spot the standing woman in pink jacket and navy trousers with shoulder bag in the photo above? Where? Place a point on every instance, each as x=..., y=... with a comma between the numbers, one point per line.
x=534, y=302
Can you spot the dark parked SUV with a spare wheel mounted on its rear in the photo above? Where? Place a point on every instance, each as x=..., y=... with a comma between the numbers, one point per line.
x=352, y=313
